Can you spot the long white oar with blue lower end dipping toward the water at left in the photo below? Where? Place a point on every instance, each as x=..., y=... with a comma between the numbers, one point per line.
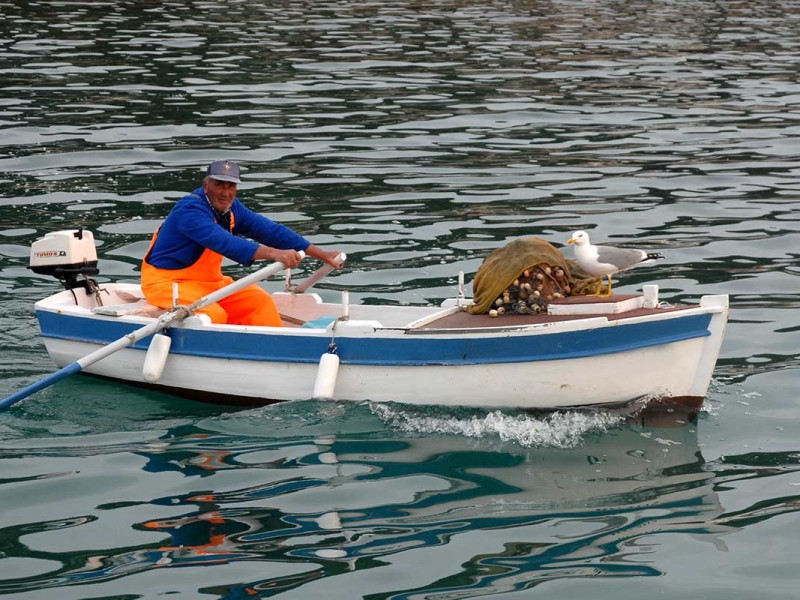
x=164, y=321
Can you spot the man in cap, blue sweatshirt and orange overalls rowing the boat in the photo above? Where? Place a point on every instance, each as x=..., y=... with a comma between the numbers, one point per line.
x=201, y=229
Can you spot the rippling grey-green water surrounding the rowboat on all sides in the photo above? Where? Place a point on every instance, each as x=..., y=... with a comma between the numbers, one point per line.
x=416, y=137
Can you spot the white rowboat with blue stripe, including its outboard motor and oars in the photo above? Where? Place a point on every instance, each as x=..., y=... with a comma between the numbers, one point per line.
x=585, y=352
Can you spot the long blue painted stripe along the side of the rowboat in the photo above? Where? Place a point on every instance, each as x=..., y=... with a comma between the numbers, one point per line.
x=411, y=350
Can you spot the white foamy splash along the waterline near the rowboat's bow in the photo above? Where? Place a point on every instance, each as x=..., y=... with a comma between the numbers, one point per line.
x=565, y=429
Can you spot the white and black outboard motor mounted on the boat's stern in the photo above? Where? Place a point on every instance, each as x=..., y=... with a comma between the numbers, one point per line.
x=67, y=255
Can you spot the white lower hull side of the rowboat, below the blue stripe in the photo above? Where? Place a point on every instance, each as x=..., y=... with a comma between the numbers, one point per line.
x=602, y=380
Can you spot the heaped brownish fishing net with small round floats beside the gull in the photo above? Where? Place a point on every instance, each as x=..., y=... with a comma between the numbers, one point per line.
x=524, y=276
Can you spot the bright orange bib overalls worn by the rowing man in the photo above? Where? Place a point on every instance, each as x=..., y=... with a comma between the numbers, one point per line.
x=249, y=306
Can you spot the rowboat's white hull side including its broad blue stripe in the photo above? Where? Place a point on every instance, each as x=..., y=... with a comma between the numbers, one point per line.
x=678, y=369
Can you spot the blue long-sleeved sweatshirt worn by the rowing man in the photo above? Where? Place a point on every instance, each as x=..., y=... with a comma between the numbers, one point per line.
x=192, y=226
